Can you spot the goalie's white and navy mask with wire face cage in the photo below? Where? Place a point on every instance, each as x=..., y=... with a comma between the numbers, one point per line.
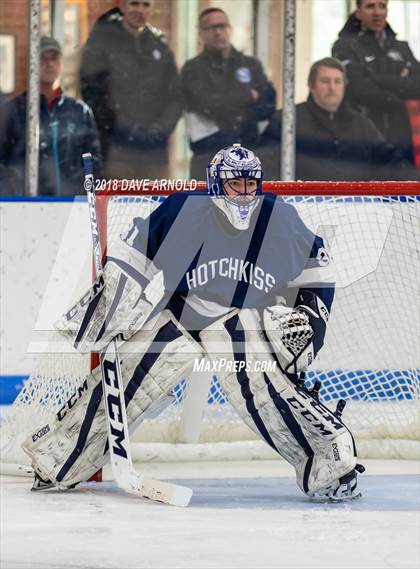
x=234, y=179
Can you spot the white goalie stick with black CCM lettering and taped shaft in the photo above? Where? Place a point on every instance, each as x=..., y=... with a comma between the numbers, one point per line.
x=124, y=473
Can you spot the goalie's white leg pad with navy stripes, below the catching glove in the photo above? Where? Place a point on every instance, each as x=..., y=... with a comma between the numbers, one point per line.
x=291, y=420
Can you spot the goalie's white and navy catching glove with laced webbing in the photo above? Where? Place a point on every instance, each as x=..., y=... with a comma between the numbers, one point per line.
x=297, y=334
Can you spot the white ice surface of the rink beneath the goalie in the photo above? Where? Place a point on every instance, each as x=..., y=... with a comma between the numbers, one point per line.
x=246, y=520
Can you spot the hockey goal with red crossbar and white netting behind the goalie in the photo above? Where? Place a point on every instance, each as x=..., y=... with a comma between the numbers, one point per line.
x=370, y=357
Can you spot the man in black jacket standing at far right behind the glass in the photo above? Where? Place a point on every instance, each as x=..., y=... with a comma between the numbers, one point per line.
x=383, y=75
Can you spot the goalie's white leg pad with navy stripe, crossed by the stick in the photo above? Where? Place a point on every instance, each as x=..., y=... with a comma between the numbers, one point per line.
x=73, y=447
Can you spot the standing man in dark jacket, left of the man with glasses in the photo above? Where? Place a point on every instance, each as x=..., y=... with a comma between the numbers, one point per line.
x=129, y=78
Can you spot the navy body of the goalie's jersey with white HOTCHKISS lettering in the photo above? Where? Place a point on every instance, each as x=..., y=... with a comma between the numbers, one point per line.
x=187, y=231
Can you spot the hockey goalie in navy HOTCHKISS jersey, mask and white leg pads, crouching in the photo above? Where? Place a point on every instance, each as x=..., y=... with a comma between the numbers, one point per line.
x=244, y=279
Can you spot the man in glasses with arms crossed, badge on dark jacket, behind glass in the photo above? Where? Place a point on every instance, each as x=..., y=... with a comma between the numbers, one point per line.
x=226, y=93
